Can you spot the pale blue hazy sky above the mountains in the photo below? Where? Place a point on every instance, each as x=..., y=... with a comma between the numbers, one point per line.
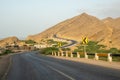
x=28, y=17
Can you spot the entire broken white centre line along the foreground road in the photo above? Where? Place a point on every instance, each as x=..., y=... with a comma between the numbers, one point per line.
x=60, y=72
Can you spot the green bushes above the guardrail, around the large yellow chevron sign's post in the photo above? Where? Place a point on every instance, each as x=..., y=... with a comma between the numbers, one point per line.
x=94, y=47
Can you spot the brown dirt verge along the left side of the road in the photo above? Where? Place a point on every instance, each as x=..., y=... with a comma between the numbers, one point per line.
x=4, y=64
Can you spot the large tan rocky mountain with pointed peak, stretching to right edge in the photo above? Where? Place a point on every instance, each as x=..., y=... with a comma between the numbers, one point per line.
x=104, y=31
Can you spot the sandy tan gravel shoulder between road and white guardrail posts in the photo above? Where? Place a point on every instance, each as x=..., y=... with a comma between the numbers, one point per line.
x=114, y=65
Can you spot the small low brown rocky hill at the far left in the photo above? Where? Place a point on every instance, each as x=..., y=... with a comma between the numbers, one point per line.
x=8, y=41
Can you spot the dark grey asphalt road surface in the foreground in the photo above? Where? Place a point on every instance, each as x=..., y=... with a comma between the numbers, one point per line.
x=30, y=66
